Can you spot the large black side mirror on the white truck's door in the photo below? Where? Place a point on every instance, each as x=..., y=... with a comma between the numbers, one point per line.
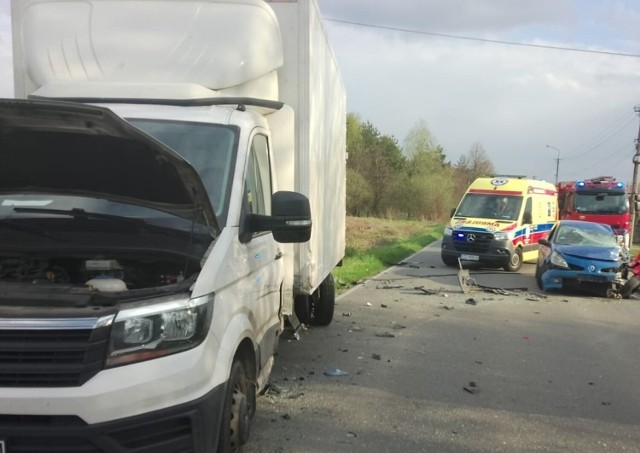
x=290, y=219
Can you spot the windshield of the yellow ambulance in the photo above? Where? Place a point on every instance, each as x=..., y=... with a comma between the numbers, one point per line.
x=490, y=206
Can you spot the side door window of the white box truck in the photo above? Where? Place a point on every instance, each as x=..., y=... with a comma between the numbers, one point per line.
x=258, y=181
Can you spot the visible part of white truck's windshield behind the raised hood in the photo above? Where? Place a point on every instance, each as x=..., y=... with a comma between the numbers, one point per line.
x=209, y=148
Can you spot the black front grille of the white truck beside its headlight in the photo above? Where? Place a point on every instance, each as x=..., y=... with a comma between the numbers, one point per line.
x=51, y=358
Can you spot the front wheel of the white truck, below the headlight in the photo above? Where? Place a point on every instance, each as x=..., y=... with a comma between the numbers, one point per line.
x=239, y=404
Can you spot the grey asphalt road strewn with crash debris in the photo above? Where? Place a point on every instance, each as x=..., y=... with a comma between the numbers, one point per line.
x=432, y=369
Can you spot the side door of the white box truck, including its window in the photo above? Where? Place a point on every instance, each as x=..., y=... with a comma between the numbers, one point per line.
x=263, y=252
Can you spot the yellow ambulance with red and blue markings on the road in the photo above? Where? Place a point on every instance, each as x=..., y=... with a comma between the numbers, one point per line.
x=499, y=221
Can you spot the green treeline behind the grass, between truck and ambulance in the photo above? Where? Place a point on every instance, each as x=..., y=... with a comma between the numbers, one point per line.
x=414, y=181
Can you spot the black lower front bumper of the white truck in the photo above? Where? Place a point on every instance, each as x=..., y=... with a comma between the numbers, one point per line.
x=191, y=427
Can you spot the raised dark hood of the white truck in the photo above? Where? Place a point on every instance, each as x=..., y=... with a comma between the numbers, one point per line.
x=63, y=148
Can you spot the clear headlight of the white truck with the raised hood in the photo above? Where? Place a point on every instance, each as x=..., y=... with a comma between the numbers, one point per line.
x=154, y=330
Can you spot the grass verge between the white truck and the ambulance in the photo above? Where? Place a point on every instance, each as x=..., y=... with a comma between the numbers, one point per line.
x=375, y=244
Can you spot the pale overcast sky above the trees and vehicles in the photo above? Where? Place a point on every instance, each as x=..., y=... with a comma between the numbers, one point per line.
x=512, y=99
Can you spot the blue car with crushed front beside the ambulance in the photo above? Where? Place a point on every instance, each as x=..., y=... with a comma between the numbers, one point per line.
x=581, y=256
